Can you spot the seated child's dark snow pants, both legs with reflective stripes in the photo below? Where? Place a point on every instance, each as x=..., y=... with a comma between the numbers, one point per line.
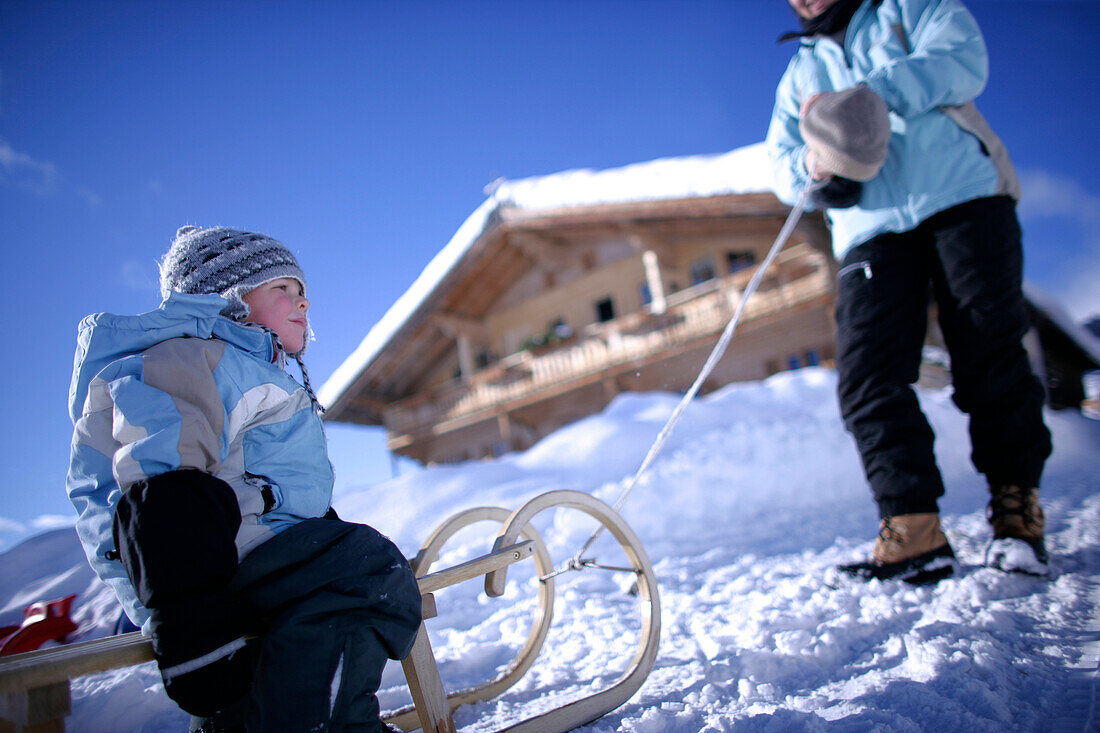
x=293, y=639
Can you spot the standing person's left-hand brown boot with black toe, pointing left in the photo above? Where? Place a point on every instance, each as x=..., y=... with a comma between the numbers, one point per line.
x=911, y=548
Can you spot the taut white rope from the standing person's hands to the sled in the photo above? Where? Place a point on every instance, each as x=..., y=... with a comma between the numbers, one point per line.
x=717, y=354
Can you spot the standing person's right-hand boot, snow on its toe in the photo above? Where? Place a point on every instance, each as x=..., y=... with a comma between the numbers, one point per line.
x=1016, y=515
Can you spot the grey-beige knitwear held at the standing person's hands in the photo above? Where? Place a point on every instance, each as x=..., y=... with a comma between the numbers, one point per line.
x=849, y=132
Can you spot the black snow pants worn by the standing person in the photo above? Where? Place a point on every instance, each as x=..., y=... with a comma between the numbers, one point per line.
x=971, y=259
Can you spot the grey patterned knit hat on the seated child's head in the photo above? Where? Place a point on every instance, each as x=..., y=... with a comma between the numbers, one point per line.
x=229, y=262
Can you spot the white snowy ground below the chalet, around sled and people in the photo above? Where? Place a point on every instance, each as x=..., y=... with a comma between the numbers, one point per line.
x=756, y=496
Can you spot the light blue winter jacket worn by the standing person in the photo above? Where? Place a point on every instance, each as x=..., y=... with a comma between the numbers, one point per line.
x=933, y=163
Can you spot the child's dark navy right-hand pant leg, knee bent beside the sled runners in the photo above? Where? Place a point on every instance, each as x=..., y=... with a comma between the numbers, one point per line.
x=329, y=603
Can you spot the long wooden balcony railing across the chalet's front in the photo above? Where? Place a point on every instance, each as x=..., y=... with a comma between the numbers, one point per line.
x=799, y=276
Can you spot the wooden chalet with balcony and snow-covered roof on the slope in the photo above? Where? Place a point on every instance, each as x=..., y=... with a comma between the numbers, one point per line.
x=562, y=292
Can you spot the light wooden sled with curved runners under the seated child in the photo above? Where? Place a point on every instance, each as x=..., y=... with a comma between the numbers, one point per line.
x=35, y=687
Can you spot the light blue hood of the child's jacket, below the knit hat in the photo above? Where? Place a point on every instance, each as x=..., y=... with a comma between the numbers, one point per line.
x=104, y=338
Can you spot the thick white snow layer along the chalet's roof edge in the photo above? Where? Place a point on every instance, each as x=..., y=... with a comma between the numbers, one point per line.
x=742, y=171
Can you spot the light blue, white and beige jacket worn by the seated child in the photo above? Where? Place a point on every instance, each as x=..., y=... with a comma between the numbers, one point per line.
x=183, y=387
